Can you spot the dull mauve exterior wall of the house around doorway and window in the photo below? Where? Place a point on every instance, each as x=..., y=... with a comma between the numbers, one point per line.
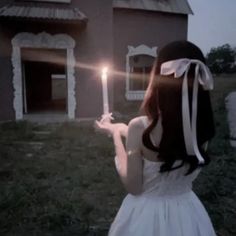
x=103, y=40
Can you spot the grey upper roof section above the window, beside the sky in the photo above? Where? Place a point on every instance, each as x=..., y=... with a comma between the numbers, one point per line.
x=169, y=6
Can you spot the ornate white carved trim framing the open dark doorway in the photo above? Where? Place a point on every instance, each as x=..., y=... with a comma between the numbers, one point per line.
x=42, y=40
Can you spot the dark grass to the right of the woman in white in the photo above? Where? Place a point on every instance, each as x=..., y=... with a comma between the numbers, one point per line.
x=216, y=185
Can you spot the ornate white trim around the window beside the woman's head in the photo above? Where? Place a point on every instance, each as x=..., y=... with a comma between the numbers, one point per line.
x=142, y=49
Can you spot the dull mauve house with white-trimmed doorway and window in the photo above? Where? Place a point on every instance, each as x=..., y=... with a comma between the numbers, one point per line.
x=52, y=51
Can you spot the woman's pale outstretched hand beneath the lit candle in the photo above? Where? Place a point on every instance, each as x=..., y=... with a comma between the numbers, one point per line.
x=111, y=128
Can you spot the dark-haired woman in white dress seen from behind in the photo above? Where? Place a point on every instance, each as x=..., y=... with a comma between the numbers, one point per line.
x=166, y=149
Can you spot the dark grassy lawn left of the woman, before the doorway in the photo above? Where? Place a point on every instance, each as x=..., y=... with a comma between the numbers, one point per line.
x=65, y=187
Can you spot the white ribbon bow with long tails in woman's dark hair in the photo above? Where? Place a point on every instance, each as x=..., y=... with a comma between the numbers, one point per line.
x=203, y=76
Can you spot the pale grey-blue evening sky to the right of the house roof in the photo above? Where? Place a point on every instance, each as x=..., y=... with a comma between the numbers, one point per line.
x=213, y=23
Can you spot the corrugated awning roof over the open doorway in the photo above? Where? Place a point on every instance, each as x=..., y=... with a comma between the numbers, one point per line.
x=40, y=12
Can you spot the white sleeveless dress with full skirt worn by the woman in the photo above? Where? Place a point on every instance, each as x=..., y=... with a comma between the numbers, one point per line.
x=167, y=206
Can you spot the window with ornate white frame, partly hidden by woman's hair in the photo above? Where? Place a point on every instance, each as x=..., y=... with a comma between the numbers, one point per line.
x=139, y=62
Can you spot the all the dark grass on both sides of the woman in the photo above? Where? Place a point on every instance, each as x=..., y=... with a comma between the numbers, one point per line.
x=63, y=182
